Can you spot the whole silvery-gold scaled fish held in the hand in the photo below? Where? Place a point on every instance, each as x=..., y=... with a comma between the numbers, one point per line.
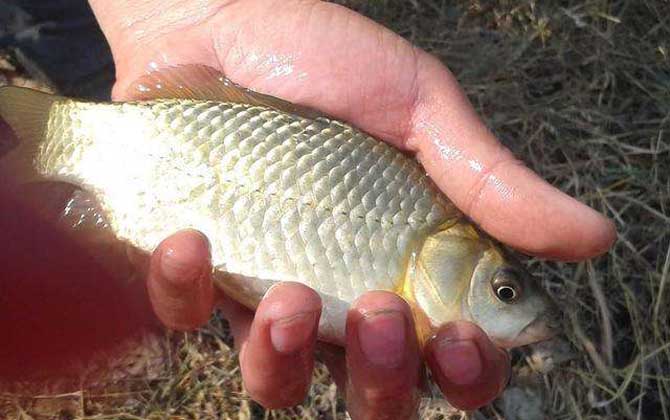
x=283, y=193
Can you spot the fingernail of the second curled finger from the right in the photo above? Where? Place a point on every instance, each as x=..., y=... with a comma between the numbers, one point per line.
x=382, y=337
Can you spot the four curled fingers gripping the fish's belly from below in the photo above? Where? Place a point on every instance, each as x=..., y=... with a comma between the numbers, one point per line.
x=381, y=370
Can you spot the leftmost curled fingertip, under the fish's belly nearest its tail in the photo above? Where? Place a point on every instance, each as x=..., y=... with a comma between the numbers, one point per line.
x=179, y=282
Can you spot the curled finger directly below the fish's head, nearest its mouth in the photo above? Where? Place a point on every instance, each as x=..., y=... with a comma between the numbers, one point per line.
x=469, y=369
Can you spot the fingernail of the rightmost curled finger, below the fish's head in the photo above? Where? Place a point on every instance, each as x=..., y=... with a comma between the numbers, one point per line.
x=460, y=361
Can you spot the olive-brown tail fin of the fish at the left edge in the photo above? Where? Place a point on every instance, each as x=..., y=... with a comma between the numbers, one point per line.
x=27, y=113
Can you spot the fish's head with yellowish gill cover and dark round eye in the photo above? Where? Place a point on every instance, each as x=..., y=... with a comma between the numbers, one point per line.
x=461, y=274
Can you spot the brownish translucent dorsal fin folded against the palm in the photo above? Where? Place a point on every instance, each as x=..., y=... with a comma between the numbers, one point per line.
x=197, y=81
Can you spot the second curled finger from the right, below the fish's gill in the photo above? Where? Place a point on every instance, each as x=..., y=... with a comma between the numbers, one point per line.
x=382, y=358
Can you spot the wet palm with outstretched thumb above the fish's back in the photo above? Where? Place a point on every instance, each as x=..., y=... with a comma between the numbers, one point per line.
x=330, y=58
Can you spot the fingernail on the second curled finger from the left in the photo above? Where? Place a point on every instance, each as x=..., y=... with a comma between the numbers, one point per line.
x=293, y=333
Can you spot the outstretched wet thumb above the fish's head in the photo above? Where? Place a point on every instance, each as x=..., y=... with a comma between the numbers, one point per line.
x=489, y=184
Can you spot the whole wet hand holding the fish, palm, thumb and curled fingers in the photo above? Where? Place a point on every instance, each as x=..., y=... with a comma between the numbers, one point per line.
x=332, y=59
